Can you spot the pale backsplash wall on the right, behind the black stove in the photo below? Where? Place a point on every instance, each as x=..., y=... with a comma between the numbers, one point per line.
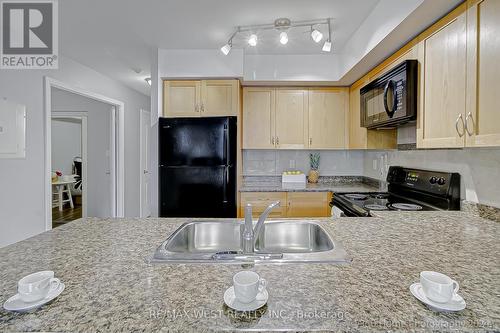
x=479, y=168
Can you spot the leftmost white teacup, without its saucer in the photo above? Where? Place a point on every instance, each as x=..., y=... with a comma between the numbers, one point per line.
x=36, y=286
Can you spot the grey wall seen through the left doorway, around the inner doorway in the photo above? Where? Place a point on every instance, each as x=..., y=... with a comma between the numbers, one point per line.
x=98, y=147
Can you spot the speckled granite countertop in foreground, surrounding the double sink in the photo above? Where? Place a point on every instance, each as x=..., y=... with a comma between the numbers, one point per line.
x=110, y=287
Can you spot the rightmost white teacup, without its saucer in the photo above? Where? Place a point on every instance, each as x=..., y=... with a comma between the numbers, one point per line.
x=438, y=287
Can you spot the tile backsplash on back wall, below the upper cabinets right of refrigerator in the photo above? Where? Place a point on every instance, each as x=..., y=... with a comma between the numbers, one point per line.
x=274, y=162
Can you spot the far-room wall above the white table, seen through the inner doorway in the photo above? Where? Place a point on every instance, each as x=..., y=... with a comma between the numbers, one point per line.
x=66, y=143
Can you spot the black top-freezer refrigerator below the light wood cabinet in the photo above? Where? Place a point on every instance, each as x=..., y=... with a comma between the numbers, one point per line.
x=197, y=167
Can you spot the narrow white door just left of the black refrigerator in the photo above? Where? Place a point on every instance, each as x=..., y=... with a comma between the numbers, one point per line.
x=144, y=167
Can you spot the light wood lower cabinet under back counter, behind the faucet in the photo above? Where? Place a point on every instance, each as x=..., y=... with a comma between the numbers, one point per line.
x=293, y=204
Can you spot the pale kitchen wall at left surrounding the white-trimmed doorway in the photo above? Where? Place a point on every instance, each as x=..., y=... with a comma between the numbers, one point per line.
x=23, y=180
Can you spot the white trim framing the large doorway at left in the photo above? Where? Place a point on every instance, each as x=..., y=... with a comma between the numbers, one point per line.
x=120, y=145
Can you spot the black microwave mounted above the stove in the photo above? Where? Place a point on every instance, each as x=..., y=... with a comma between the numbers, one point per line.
x=391, y=100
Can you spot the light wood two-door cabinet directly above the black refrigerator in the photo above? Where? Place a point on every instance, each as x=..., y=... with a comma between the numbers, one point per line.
x=201, y=98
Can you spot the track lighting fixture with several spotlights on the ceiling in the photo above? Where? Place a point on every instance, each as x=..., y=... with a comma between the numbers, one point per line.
x=283, y=27
